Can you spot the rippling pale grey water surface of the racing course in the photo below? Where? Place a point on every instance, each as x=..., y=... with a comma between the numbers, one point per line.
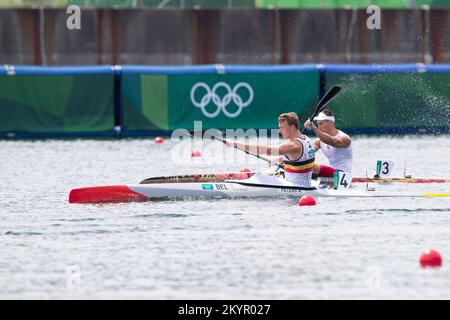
x=220, y=249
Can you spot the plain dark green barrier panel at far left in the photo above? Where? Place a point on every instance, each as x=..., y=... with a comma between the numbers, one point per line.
x=59, y=104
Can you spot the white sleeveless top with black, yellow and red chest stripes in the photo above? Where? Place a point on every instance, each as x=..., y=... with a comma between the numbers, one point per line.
x=299, y=171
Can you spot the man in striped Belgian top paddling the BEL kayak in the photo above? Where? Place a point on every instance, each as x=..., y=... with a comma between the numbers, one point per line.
x=297, y=153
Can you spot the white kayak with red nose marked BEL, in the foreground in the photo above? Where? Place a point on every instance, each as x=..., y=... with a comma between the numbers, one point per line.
x=256, y=186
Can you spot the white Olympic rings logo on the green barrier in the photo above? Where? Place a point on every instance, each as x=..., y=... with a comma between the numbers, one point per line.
x=221, y=103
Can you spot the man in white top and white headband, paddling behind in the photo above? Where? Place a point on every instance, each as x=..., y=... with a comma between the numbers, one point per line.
x=335, y=145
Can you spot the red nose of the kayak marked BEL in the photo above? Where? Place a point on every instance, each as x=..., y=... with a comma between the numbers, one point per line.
x=105, y=194
